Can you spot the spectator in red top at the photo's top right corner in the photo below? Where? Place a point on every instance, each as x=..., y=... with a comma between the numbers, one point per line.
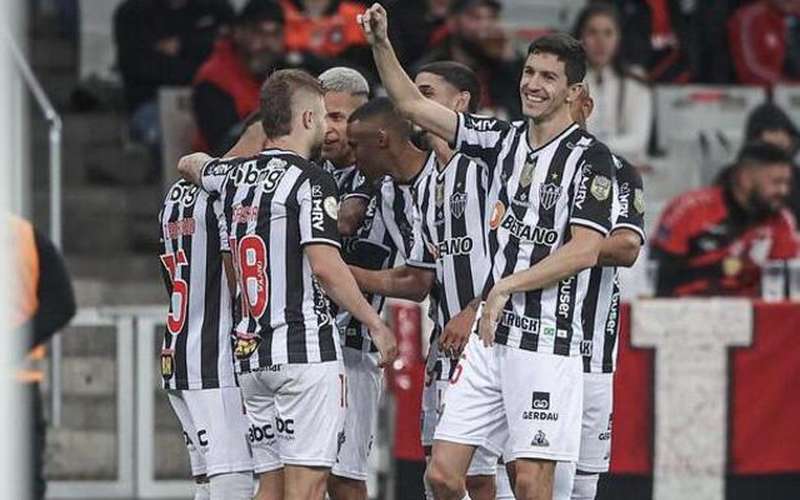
x=765, y=42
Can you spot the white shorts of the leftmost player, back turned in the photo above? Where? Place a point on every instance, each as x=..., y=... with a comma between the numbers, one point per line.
x=215, y=429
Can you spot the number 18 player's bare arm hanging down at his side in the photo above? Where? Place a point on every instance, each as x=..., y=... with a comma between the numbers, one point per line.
x=332, y=273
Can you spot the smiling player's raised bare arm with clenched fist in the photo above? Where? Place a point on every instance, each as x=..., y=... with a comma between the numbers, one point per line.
x=404, y=94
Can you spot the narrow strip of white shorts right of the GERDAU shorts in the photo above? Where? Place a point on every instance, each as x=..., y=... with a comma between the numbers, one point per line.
x=598, y=400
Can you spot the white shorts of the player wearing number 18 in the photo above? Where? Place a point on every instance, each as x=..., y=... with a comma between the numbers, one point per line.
x=296, y=414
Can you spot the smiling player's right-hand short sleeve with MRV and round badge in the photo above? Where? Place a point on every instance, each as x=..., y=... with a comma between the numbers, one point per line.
x=594, y=190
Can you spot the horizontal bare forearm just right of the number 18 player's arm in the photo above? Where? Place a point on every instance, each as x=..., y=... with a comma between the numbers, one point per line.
x=403, y=282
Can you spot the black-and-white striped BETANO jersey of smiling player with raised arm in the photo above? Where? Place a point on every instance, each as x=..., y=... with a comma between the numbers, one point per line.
x=536, y=195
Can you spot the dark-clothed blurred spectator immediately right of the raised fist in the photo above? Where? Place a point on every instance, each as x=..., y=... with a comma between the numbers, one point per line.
x=416, y=26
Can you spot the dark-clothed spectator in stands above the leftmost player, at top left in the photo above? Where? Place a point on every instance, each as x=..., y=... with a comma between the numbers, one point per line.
x=161, y=43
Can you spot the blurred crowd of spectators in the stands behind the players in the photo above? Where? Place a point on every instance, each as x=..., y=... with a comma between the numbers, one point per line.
x=224, y=53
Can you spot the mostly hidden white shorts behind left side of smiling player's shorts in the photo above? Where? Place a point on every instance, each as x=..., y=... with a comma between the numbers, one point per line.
x=437, y=379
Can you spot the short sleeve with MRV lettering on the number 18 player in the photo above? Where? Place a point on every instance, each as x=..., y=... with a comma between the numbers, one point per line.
x=319, y=210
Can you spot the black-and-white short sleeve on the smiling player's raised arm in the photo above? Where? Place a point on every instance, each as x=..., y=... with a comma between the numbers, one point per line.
x=480, y=137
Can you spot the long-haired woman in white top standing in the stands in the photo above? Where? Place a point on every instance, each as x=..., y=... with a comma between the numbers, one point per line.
x=624, y=107
